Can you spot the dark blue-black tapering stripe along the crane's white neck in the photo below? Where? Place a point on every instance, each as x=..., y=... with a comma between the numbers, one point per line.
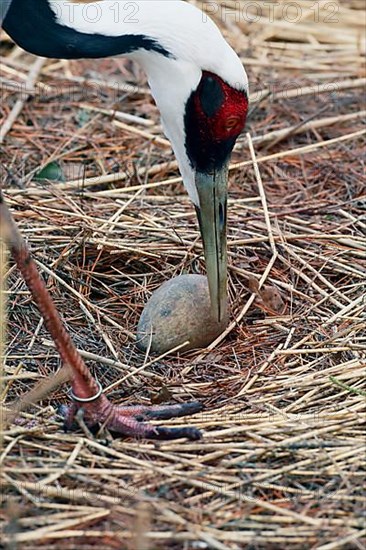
x=33, y=26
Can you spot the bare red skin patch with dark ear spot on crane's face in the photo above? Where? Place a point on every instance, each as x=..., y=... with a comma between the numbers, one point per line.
x=226, y=119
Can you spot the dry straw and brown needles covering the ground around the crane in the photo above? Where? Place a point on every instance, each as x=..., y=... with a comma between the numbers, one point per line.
x=281, y=464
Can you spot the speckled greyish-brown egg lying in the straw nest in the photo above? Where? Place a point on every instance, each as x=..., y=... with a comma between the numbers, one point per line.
x=179, y=311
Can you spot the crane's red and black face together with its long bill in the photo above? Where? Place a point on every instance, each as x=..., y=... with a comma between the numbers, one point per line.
x=215, y=115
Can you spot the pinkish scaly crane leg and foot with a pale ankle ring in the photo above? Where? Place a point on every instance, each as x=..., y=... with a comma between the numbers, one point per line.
x=86, y=392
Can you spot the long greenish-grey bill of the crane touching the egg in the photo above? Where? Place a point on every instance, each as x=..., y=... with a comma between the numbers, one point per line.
x=212, y=193
